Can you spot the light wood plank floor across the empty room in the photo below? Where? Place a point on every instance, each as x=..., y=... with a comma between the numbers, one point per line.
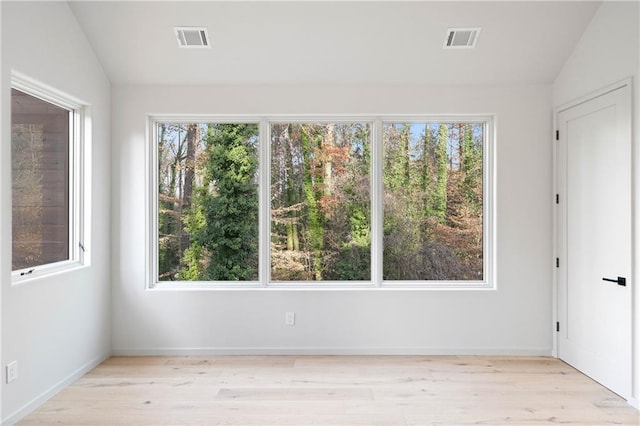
x=334, y=390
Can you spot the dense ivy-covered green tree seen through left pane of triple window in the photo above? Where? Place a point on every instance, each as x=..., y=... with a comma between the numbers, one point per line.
x=223, y=221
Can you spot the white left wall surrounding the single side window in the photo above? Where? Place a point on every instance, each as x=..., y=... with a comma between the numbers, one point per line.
x=55, y=327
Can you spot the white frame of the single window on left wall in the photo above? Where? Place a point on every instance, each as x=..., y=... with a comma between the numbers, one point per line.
x=78, y=135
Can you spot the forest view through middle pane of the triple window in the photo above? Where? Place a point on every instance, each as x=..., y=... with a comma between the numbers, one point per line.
x=320, y=202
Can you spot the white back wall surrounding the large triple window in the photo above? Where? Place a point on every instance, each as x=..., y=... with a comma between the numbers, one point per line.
x=515, y=319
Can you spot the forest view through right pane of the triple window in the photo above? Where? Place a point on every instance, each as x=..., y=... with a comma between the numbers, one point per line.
x=433, y=201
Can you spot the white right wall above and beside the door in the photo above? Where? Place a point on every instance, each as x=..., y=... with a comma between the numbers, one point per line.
x=609, y=51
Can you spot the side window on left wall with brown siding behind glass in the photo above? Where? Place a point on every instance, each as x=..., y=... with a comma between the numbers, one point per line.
x=45, y=182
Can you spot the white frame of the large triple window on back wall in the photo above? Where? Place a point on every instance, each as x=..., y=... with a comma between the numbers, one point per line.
x=377, y=198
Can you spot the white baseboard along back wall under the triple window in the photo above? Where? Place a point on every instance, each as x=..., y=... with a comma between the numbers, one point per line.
x=159, y=351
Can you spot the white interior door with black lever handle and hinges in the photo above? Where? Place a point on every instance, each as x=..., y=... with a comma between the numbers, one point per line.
x=594, y=237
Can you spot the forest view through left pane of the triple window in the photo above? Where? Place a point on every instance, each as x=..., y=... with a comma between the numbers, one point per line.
x=207, y=205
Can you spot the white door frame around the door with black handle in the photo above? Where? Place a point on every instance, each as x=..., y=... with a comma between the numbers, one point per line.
x=557, y=238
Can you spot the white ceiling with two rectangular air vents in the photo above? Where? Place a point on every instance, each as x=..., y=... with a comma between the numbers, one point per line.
x=303, y=42
